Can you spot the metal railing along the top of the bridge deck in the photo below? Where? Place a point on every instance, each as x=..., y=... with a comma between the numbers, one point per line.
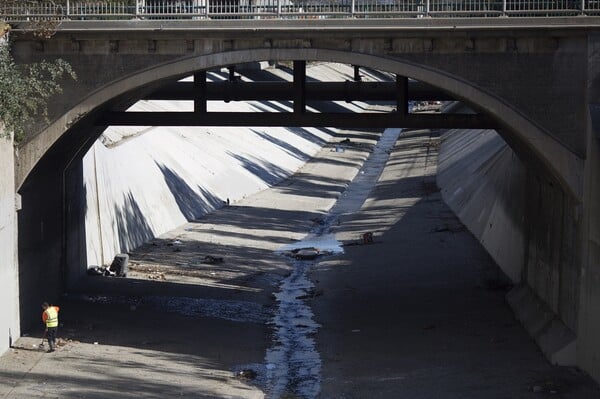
x=18, y=10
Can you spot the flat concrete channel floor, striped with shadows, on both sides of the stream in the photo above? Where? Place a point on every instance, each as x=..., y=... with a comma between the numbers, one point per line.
x=420, y=313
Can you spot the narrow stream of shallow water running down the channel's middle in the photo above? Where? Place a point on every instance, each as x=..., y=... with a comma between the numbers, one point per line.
x=292, y=363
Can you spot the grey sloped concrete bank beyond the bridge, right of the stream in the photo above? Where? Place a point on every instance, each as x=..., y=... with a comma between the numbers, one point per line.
x=483, y=182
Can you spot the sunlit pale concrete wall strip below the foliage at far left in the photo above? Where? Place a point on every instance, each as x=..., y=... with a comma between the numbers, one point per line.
x=9, y=272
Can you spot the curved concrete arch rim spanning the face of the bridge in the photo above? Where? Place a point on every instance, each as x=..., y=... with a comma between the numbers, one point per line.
x=561, y=163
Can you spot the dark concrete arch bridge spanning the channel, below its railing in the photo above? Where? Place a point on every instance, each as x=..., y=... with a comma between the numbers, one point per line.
x=535, y=80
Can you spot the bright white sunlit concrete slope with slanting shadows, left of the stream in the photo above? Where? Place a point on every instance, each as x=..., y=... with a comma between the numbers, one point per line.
x=142, y=182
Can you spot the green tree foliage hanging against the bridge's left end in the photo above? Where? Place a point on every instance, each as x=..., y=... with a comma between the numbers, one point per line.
x=25, y=89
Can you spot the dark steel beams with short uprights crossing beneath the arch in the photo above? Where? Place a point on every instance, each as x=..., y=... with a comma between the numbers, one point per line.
x=299, y=91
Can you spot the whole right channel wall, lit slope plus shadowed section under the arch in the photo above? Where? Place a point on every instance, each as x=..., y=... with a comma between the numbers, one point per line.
x=527, y=224
